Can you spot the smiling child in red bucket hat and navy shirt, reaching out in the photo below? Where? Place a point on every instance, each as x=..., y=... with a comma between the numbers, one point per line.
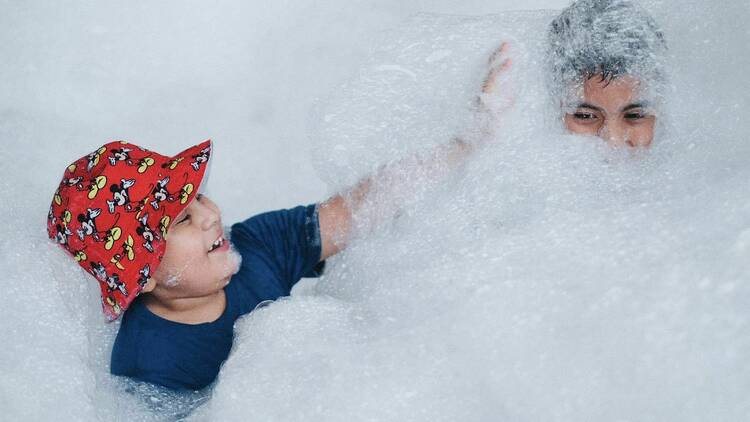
x=134, y=219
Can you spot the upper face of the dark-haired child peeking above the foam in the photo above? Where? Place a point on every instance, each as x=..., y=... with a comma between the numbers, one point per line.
x=612, y=111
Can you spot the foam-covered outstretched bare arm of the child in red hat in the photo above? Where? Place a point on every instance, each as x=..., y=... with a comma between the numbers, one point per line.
x=391, y=183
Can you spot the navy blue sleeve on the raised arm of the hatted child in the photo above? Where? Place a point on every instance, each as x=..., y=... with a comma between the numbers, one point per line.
x=288, y=241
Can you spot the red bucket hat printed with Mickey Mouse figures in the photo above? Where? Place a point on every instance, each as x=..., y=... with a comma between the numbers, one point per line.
x=112, y=211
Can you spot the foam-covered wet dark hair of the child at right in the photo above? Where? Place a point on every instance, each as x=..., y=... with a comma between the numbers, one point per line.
x=607, y=38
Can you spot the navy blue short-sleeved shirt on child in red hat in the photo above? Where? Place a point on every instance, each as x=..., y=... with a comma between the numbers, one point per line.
x=278, y=248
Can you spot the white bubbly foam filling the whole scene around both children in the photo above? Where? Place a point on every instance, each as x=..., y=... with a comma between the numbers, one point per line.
x=549, y=279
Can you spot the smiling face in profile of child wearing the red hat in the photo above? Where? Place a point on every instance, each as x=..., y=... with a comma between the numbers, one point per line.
x=192, y=266
